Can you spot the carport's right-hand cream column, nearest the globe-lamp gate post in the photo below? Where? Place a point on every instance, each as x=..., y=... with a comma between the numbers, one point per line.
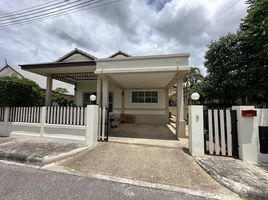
x=180, y=123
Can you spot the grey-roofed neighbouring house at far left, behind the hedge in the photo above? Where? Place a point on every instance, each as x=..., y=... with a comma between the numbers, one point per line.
x=40, y=80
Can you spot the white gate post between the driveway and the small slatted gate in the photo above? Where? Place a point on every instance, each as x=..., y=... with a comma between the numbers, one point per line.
x=196, y=130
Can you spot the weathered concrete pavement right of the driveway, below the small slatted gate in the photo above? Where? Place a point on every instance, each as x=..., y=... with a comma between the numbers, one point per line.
x=248, y=179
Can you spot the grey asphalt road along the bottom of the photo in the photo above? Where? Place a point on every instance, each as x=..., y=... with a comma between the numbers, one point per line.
x=20, y=182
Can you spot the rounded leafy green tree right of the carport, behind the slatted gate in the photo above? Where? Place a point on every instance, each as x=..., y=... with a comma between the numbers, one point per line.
x=225, y=63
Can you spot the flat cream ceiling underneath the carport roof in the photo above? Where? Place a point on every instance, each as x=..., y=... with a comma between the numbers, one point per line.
x=143, y=80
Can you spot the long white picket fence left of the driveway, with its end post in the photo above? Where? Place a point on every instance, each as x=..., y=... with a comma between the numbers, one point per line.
x=73, y=123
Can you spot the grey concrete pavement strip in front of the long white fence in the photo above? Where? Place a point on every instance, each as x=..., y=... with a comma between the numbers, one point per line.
x=36, y=150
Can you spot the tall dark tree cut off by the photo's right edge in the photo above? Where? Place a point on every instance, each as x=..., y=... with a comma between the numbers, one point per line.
x=255, y=30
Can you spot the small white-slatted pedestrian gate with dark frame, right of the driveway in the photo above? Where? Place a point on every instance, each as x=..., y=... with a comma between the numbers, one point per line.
x=220, y=132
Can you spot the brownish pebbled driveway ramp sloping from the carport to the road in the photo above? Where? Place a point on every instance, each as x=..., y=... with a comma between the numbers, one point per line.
x=171, y=166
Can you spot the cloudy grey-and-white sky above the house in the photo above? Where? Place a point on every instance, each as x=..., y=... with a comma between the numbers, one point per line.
x=137, y=27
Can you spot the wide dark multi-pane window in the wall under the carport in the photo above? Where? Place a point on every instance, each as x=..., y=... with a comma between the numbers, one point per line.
x=144, y=97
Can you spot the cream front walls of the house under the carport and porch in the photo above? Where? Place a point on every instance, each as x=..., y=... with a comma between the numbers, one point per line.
x=144, y=112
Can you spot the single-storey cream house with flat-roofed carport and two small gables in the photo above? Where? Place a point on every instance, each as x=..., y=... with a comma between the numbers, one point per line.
x=136, y=85
